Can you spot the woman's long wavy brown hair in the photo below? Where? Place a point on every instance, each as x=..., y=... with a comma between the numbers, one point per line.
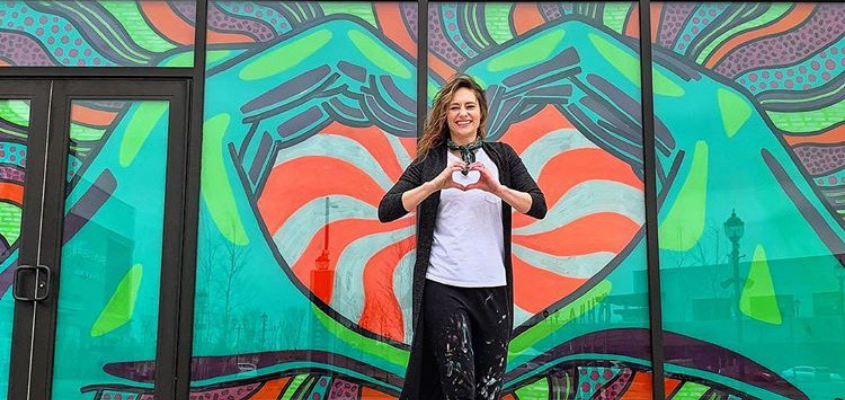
x=436, y=127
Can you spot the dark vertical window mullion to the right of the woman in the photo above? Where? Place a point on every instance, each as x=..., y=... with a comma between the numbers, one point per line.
x=652, y=254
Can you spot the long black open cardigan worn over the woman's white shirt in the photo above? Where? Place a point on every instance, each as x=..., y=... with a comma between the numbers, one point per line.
x=513, y=174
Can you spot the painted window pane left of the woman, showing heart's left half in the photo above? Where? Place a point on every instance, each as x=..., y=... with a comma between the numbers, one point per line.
x=310, y=117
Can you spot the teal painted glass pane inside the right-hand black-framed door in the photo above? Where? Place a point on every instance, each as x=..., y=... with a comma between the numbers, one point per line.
x=112, y=241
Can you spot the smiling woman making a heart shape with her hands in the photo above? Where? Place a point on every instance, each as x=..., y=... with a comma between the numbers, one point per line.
x=463, y=282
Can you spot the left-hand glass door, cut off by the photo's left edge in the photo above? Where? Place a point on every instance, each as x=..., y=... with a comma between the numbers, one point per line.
x=24, y=108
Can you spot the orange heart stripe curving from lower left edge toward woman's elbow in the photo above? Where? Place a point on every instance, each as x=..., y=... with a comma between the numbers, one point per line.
x=343, y=233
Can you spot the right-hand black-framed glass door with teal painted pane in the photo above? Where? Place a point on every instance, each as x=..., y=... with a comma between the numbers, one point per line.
x=109, y=248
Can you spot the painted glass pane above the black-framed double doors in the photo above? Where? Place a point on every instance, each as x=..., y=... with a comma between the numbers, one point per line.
x=88, y=33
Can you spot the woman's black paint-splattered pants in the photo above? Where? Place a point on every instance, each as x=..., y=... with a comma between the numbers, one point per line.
x=467, y=331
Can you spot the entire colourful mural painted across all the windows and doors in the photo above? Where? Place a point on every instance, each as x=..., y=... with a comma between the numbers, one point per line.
x=310, y=116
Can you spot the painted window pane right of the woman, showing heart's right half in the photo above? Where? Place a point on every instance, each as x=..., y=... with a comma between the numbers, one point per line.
x=563, y=85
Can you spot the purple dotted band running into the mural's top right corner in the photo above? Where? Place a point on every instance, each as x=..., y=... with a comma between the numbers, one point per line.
x=824, y=26
